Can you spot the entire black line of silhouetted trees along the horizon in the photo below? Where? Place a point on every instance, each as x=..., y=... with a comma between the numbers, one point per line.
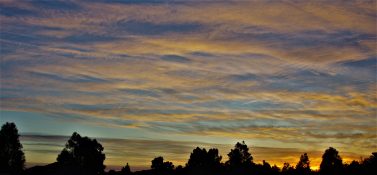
x=84, y=156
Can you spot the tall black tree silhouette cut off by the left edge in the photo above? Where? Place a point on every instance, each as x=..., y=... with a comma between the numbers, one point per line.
x=12, y=157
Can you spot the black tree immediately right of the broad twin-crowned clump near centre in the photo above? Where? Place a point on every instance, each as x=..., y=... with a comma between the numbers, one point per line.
x=240, y=156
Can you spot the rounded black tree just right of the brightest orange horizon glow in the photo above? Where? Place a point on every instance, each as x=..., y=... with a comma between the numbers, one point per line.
x=331, y=162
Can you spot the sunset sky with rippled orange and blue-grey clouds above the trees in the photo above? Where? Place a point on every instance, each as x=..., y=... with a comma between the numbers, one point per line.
x=158, y=78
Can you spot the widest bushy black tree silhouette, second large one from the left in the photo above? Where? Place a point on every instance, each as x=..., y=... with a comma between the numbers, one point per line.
x=84, y=154
